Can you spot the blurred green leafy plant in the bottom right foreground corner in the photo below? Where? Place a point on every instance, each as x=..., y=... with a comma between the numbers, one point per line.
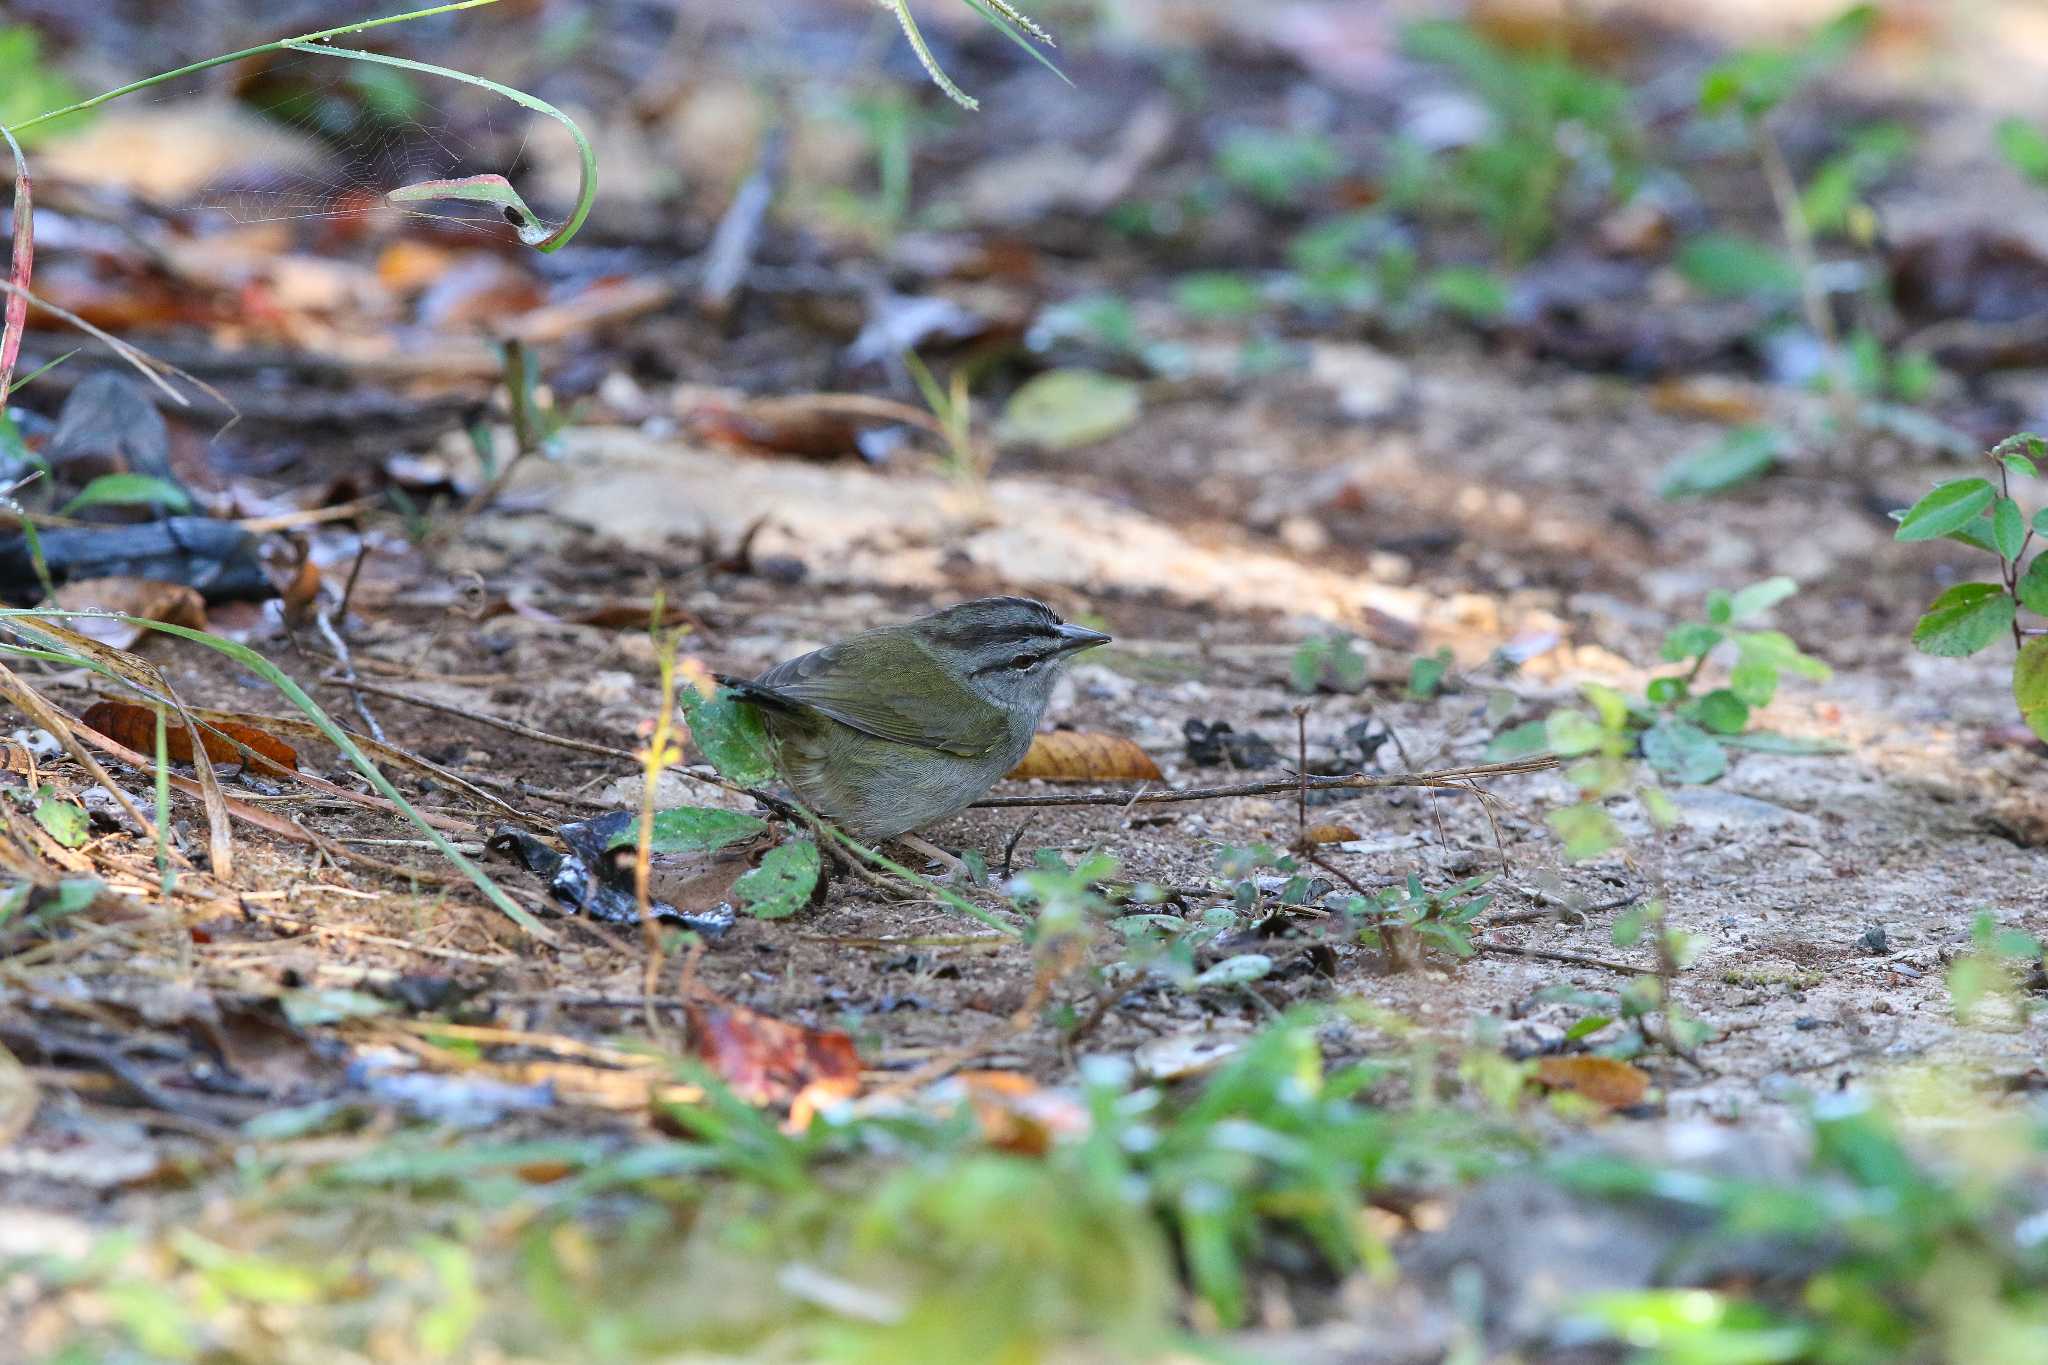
x=1887, y=1256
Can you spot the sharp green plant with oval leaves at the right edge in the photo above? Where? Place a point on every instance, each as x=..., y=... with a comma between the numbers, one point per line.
x=1973, y=617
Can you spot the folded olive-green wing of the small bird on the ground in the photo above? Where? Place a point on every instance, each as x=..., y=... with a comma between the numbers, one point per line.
x=861, y=687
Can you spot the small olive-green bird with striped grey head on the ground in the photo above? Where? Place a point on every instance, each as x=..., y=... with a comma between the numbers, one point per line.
x=904, y=725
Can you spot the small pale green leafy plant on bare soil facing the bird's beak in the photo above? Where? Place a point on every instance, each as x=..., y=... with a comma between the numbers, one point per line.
x=1680, y=730
